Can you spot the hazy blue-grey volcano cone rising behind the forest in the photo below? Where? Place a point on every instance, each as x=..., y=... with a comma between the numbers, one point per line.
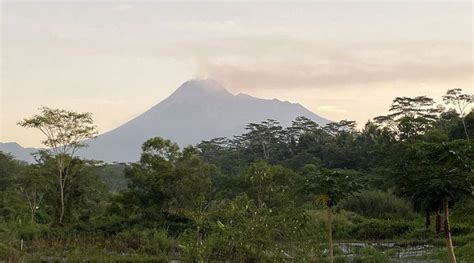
x=197, y=110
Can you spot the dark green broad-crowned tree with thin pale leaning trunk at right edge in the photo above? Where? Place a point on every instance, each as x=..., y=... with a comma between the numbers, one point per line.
x=438, y=172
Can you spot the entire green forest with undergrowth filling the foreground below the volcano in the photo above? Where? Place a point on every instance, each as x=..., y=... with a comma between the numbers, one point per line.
x=399, y=189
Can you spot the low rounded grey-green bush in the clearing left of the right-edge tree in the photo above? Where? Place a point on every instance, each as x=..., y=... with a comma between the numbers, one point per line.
x=378, y=204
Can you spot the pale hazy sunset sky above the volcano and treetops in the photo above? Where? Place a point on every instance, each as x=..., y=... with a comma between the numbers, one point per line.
x=342, y=60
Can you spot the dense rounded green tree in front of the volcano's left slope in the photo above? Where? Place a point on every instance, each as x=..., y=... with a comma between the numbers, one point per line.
x=167, y=183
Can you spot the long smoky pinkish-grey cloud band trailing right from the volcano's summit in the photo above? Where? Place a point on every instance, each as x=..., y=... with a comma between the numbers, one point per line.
x=281, y=75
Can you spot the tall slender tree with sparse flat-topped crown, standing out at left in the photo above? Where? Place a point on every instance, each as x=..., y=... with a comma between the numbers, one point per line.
x=65, y=132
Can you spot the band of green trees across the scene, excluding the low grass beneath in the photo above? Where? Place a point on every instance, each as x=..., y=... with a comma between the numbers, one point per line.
x=249, y=197
